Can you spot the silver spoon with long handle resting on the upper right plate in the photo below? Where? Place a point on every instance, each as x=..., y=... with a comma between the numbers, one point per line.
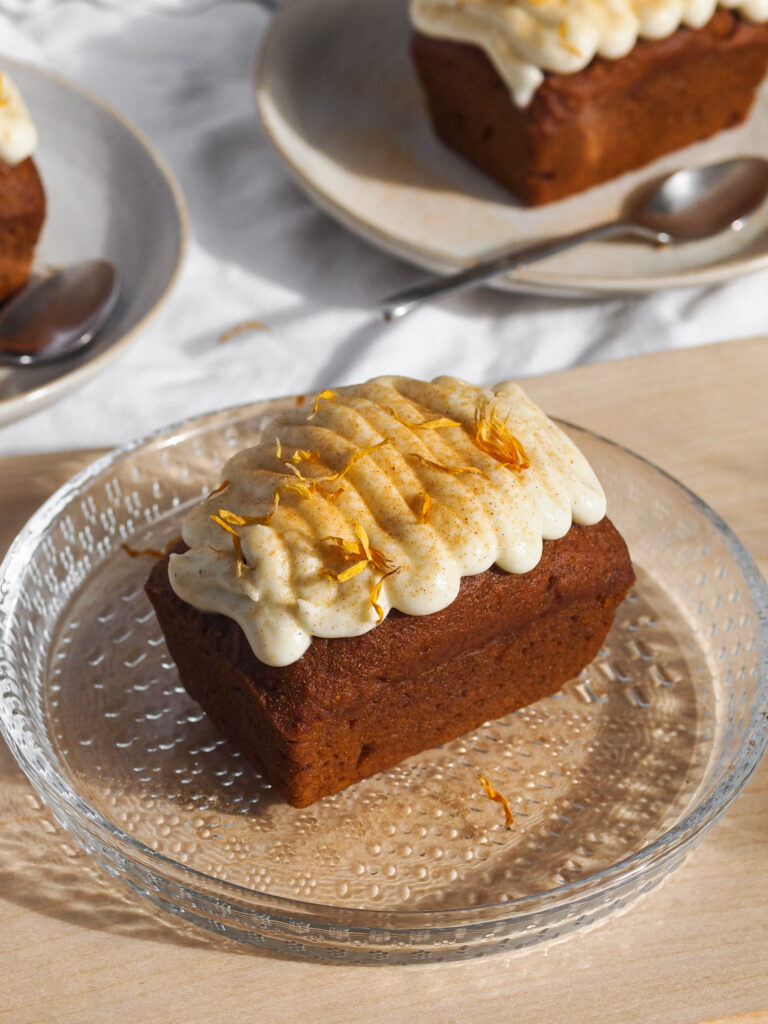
x=687, y=206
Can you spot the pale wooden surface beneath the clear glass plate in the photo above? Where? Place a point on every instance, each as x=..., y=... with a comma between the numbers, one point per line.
x=74, y=949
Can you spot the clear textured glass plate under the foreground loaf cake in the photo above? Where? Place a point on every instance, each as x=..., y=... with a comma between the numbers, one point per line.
x=612, y=783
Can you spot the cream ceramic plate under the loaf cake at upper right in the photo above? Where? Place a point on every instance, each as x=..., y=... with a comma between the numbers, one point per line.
x=340, y=103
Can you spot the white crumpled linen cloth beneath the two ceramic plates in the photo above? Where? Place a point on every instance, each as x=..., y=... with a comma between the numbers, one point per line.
x=261, y=250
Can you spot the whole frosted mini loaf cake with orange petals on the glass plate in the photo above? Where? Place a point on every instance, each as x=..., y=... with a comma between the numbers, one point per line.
x=385, y=572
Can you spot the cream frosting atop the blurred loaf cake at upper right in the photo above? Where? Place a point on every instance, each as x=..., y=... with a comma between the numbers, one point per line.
x=526, y=38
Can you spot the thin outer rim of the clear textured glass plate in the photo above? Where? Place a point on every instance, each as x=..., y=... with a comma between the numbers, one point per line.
x=679, y=838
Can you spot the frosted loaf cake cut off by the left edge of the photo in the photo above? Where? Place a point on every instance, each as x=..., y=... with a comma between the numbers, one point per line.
x=22, y=194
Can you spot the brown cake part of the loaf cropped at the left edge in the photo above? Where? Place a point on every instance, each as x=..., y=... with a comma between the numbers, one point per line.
x=22, y=217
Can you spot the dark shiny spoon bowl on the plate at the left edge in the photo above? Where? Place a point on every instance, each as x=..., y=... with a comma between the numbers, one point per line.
x=59, y=316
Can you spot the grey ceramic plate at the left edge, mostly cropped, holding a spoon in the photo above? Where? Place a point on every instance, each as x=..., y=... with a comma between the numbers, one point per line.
x=109, y=195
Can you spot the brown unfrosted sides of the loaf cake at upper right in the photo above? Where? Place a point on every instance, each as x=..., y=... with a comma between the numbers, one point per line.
x=613, y=117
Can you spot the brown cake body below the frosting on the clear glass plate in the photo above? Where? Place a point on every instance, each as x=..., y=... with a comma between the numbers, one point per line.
x=353, y=707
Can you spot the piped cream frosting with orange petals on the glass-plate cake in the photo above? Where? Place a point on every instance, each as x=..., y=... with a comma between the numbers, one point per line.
x=389, y=493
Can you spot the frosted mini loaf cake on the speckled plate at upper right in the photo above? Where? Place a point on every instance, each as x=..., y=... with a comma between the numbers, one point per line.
x=550, y=98
